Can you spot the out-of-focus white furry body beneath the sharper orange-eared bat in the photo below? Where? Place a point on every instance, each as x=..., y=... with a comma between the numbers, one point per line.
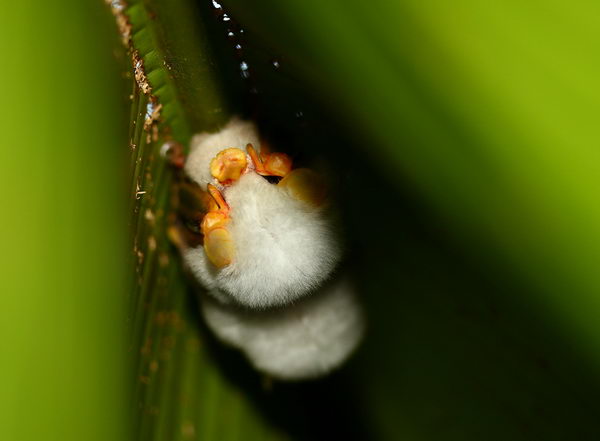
x=302, y=341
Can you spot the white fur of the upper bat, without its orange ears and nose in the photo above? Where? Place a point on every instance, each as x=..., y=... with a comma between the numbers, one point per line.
x=284, y=248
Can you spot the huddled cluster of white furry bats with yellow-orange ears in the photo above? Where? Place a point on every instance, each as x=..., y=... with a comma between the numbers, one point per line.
x=265, y=247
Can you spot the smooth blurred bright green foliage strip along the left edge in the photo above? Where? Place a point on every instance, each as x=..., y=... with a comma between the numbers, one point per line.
x=64, y=369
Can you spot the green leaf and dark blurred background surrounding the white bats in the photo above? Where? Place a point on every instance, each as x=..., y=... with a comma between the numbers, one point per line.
x=465, y=140
